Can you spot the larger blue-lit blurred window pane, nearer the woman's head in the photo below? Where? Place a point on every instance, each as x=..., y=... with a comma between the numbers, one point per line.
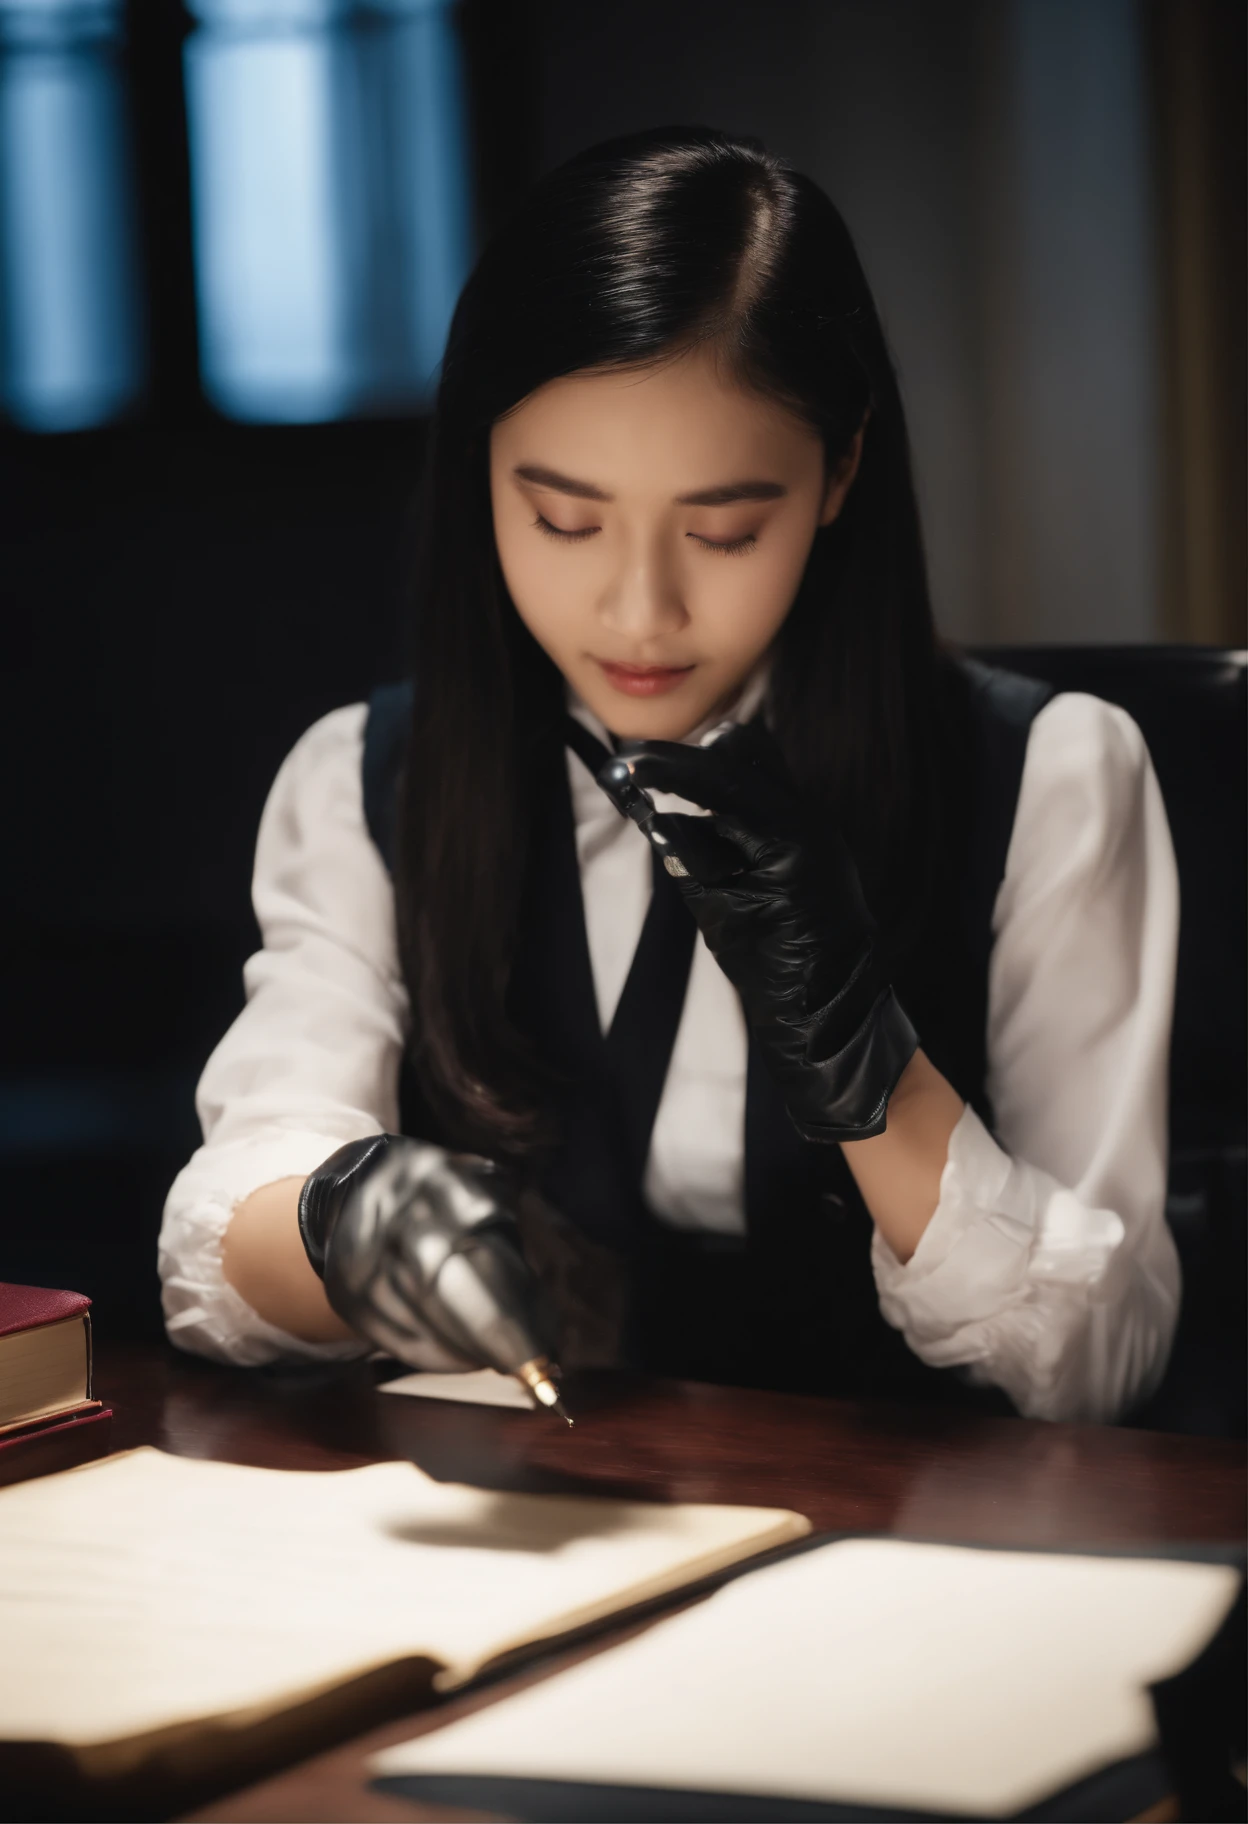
x=331, y=202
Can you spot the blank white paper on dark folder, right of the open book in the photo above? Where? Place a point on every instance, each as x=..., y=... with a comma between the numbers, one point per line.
x=869, y=1672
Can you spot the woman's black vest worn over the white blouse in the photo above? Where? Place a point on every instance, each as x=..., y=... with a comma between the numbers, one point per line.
x=793, y=1305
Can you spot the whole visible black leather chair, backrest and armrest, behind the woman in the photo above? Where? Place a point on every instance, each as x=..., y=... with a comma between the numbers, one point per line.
x=1191, y=705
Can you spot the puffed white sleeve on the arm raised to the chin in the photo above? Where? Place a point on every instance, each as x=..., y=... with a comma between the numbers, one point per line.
x=1048, y=1267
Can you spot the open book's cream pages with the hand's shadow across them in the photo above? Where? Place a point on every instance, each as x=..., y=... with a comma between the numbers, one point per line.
x=152, y=1590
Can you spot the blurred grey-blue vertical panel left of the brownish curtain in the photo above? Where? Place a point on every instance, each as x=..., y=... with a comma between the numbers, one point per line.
x=1074, y=408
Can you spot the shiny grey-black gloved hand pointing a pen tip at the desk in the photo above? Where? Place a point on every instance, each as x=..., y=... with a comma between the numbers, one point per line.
x=421, y=1254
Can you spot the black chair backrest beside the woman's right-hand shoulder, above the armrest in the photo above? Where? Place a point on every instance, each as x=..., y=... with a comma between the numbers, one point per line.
x=1192, y=707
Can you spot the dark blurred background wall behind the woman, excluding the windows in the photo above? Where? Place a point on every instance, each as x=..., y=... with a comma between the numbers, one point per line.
x=1048, y=198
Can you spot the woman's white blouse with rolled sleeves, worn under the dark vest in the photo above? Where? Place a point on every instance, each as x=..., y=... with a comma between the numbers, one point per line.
x=1048, y=1267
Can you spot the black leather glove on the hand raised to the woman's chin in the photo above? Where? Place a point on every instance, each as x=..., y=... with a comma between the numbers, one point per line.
x=785, y=920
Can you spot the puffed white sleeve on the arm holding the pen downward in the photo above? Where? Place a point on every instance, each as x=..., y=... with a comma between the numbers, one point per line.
x=313, y=1059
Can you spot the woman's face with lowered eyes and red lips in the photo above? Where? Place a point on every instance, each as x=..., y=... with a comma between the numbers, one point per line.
x=654, y=526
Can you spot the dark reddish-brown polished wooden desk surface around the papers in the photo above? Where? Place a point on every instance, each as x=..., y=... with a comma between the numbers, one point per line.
x=928, y=1475
